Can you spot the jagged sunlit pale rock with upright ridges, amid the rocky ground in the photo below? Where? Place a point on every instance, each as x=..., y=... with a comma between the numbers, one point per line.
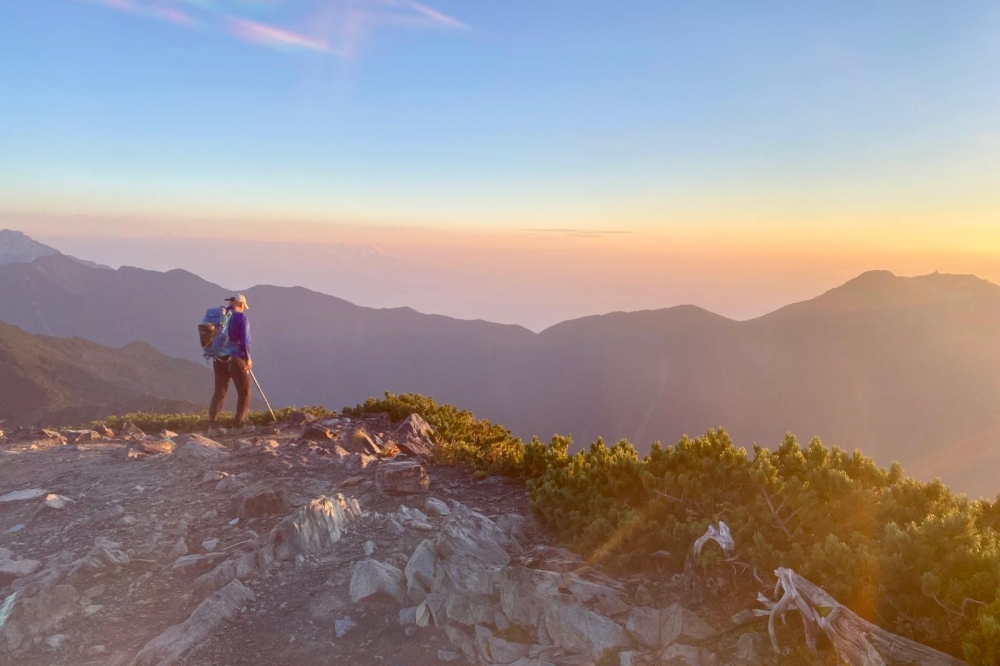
x=314, y=527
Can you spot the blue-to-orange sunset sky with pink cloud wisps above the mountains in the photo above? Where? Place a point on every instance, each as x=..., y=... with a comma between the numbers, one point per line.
x=785, y=143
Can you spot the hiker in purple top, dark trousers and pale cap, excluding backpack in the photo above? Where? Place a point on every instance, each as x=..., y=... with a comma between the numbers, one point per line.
x=235, y=365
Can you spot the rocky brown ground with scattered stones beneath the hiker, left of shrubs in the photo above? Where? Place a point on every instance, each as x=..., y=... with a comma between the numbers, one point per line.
x=310, y=543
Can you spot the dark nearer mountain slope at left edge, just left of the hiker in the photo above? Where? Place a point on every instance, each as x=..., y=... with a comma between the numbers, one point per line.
x=68, y=381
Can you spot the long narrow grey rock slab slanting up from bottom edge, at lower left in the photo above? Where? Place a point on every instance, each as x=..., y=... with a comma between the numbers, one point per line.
x=171, y=645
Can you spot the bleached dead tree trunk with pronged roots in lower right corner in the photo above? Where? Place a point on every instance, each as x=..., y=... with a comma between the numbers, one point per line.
x=857, y=641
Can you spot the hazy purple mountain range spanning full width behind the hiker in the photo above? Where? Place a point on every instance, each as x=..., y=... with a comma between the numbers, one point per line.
x=906, y=369
